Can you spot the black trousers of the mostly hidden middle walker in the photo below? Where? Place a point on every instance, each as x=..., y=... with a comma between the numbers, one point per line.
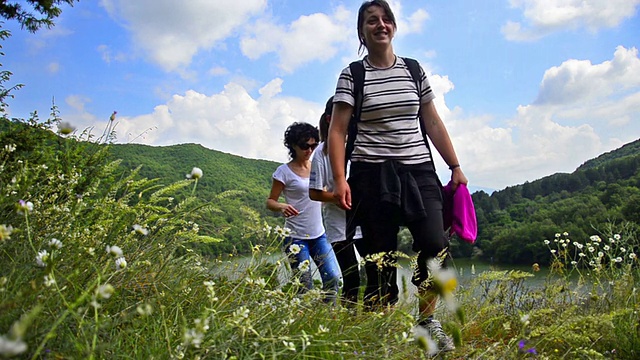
x=346, y=256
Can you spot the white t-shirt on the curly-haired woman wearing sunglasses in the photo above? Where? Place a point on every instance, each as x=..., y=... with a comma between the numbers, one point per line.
x=307, y=224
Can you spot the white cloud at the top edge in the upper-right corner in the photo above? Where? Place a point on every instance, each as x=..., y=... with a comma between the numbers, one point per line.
x=542, y=17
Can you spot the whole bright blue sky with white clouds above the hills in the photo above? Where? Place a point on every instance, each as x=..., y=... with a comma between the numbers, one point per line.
x=527, y=88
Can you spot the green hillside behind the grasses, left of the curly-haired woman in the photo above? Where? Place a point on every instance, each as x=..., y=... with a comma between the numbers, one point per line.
x=249, y=180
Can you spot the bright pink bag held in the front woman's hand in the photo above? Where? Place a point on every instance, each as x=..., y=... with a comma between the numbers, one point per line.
x=459, y=213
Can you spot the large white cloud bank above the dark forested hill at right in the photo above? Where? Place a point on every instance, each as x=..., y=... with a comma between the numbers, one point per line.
x=582, y=110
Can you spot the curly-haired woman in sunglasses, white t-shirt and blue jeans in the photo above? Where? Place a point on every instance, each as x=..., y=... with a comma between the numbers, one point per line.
x=307, y=241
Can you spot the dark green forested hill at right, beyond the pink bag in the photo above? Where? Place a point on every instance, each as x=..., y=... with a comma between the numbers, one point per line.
x=512, y=223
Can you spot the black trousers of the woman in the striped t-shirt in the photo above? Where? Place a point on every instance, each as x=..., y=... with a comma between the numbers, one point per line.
x=380, y=222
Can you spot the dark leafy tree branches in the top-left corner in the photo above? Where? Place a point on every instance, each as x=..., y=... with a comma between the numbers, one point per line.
x=34, y=14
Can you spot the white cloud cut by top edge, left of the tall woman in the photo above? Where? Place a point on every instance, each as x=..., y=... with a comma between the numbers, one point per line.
x=173, y=32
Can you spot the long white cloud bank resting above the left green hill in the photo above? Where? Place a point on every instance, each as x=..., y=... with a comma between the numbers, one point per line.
x=230, y=121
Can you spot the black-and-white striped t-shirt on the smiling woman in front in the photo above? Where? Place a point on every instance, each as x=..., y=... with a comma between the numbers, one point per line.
x=388, y=128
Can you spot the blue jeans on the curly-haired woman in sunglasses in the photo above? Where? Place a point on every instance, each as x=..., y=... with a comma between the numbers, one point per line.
x=320, y=251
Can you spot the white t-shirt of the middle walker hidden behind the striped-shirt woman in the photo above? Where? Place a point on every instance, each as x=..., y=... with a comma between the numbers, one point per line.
x=333, y=215
